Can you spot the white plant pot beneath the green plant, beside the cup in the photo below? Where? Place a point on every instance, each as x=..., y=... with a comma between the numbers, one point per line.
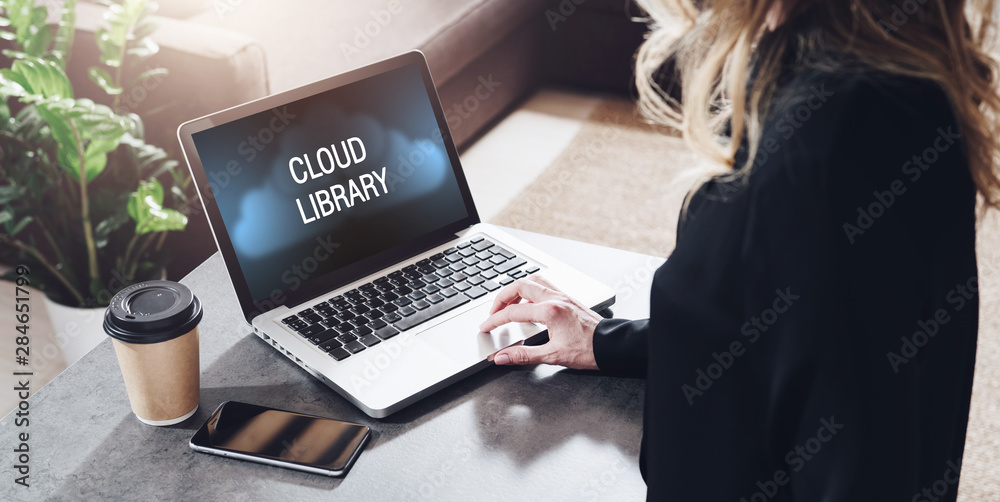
x=76, y=330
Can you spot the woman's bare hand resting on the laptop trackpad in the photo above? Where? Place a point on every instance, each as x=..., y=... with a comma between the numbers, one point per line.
x=571, y=325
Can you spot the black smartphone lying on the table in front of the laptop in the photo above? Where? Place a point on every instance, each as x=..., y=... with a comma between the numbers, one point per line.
x=281, y=438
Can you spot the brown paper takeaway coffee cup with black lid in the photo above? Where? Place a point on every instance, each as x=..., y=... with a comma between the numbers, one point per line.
x=154, y=328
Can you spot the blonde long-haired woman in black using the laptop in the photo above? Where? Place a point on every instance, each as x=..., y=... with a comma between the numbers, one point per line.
x=813, y=334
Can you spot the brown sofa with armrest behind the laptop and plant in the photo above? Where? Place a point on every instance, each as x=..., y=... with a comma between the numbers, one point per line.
x=221, y=53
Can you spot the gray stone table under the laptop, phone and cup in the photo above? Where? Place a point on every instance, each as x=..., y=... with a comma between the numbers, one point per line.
x=532, y=433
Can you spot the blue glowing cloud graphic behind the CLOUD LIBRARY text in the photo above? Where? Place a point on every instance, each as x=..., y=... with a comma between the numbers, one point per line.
x=414, y=168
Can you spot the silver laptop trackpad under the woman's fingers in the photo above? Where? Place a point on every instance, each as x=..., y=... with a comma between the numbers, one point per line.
x=459, y=338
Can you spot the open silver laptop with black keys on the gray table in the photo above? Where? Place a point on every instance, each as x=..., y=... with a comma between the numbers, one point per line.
x=351, y=237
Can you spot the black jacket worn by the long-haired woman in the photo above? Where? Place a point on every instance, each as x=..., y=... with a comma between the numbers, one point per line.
x=813, y=335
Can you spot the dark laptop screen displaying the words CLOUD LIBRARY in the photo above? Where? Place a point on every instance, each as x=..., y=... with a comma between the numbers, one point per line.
x=310, y=187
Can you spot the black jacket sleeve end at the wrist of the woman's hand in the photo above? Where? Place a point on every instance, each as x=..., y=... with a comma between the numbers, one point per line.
x=620, y=347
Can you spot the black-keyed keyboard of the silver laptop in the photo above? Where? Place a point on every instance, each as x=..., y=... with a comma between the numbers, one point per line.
x=379, y=310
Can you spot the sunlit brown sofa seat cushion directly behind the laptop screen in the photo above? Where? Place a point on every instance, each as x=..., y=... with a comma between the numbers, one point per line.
x=311, y=39
